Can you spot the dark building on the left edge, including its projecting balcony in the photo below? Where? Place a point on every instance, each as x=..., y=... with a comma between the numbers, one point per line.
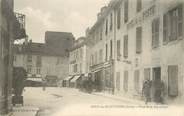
x=12, y=27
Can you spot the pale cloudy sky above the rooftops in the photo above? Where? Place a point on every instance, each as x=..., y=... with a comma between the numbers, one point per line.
x=58, y=15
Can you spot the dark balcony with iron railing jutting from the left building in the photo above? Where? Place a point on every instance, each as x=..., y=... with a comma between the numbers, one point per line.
x=19, y=26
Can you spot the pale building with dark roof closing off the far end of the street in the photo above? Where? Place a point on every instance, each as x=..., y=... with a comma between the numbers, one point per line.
x=47, y=61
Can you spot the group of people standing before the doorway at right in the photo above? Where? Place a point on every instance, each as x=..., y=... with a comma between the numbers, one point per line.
x=153, y=91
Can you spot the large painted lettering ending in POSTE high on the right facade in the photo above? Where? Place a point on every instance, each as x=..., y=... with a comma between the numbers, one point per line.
x=144, y=16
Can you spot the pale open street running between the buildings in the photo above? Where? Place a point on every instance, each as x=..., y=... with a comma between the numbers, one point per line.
x=71, y=102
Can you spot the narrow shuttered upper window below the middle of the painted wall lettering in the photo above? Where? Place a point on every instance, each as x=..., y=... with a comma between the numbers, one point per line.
x=138, y=40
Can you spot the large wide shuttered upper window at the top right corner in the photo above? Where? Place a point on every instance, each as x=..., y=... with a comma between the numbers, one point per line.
x=173, y=24
